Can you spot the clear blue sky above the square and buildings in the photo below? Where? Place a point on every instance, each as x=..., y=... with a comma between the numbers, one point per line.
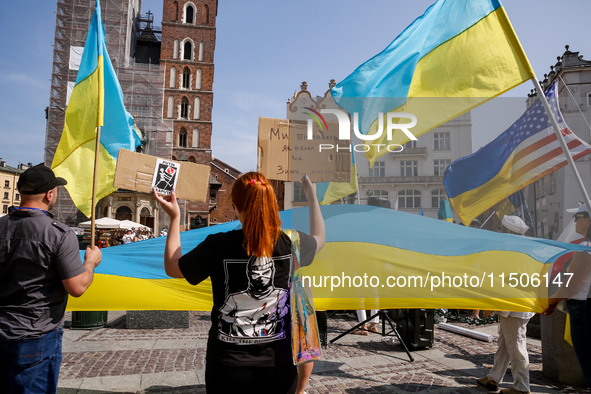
x=264, y=50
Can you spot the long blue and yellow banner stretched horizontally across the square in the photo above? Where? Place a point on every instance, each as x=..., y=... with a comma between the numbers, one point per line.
x=374, y=258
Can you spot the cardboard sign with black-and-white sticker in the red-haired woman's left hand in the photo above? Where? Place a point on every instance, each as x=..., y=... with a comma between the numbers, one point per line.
x=139, y=172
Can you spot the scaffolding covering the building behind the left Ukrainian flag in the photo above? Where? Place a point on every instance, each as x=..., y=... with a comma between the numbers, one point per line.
x=142, y=84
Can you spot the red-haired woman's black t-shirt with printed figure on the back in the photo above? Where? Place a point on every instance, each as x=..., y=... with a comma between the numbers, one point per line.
x=251, y=323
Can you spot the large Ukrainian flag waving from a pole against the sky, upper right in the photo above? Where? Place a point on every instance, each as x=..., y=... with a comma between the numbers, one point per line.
x=462, y=50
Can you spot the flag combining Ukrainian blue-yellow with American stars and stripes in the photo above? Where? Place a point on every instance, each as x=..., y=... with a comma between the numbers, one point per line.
x=525, y=152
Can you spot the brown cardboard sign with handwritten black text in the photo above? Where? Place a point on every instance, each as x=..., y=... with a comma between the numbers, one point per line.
x=285, y=153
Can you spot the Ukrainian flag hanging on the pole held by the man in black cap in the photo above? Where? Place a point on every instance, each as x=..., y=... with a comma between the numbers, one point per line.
x=96, y=101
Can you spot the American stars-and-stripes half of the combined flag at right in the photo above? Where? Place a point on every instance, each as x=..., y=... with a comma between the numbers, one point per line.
x=535, y=146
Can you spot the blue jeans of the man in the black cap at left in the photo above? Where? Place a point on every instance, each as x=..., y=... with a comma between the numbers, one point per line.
x=31, y=365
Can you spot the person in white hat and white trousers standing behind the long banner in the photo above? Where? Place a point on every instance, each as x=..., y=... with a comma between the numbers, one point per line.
x=512, y=341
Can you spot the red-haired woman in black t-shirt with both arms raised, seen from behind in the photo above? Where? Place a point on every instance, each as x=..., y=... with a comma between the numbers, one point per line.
x=249, y=348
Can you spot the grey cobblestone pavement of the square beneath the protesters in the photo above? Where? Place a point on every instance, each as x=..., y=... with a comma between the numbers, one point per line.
x=116, y=359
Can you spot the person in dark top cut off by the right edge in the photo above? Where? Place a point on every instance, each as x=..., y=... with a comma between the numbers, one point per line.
x=576, y=294
